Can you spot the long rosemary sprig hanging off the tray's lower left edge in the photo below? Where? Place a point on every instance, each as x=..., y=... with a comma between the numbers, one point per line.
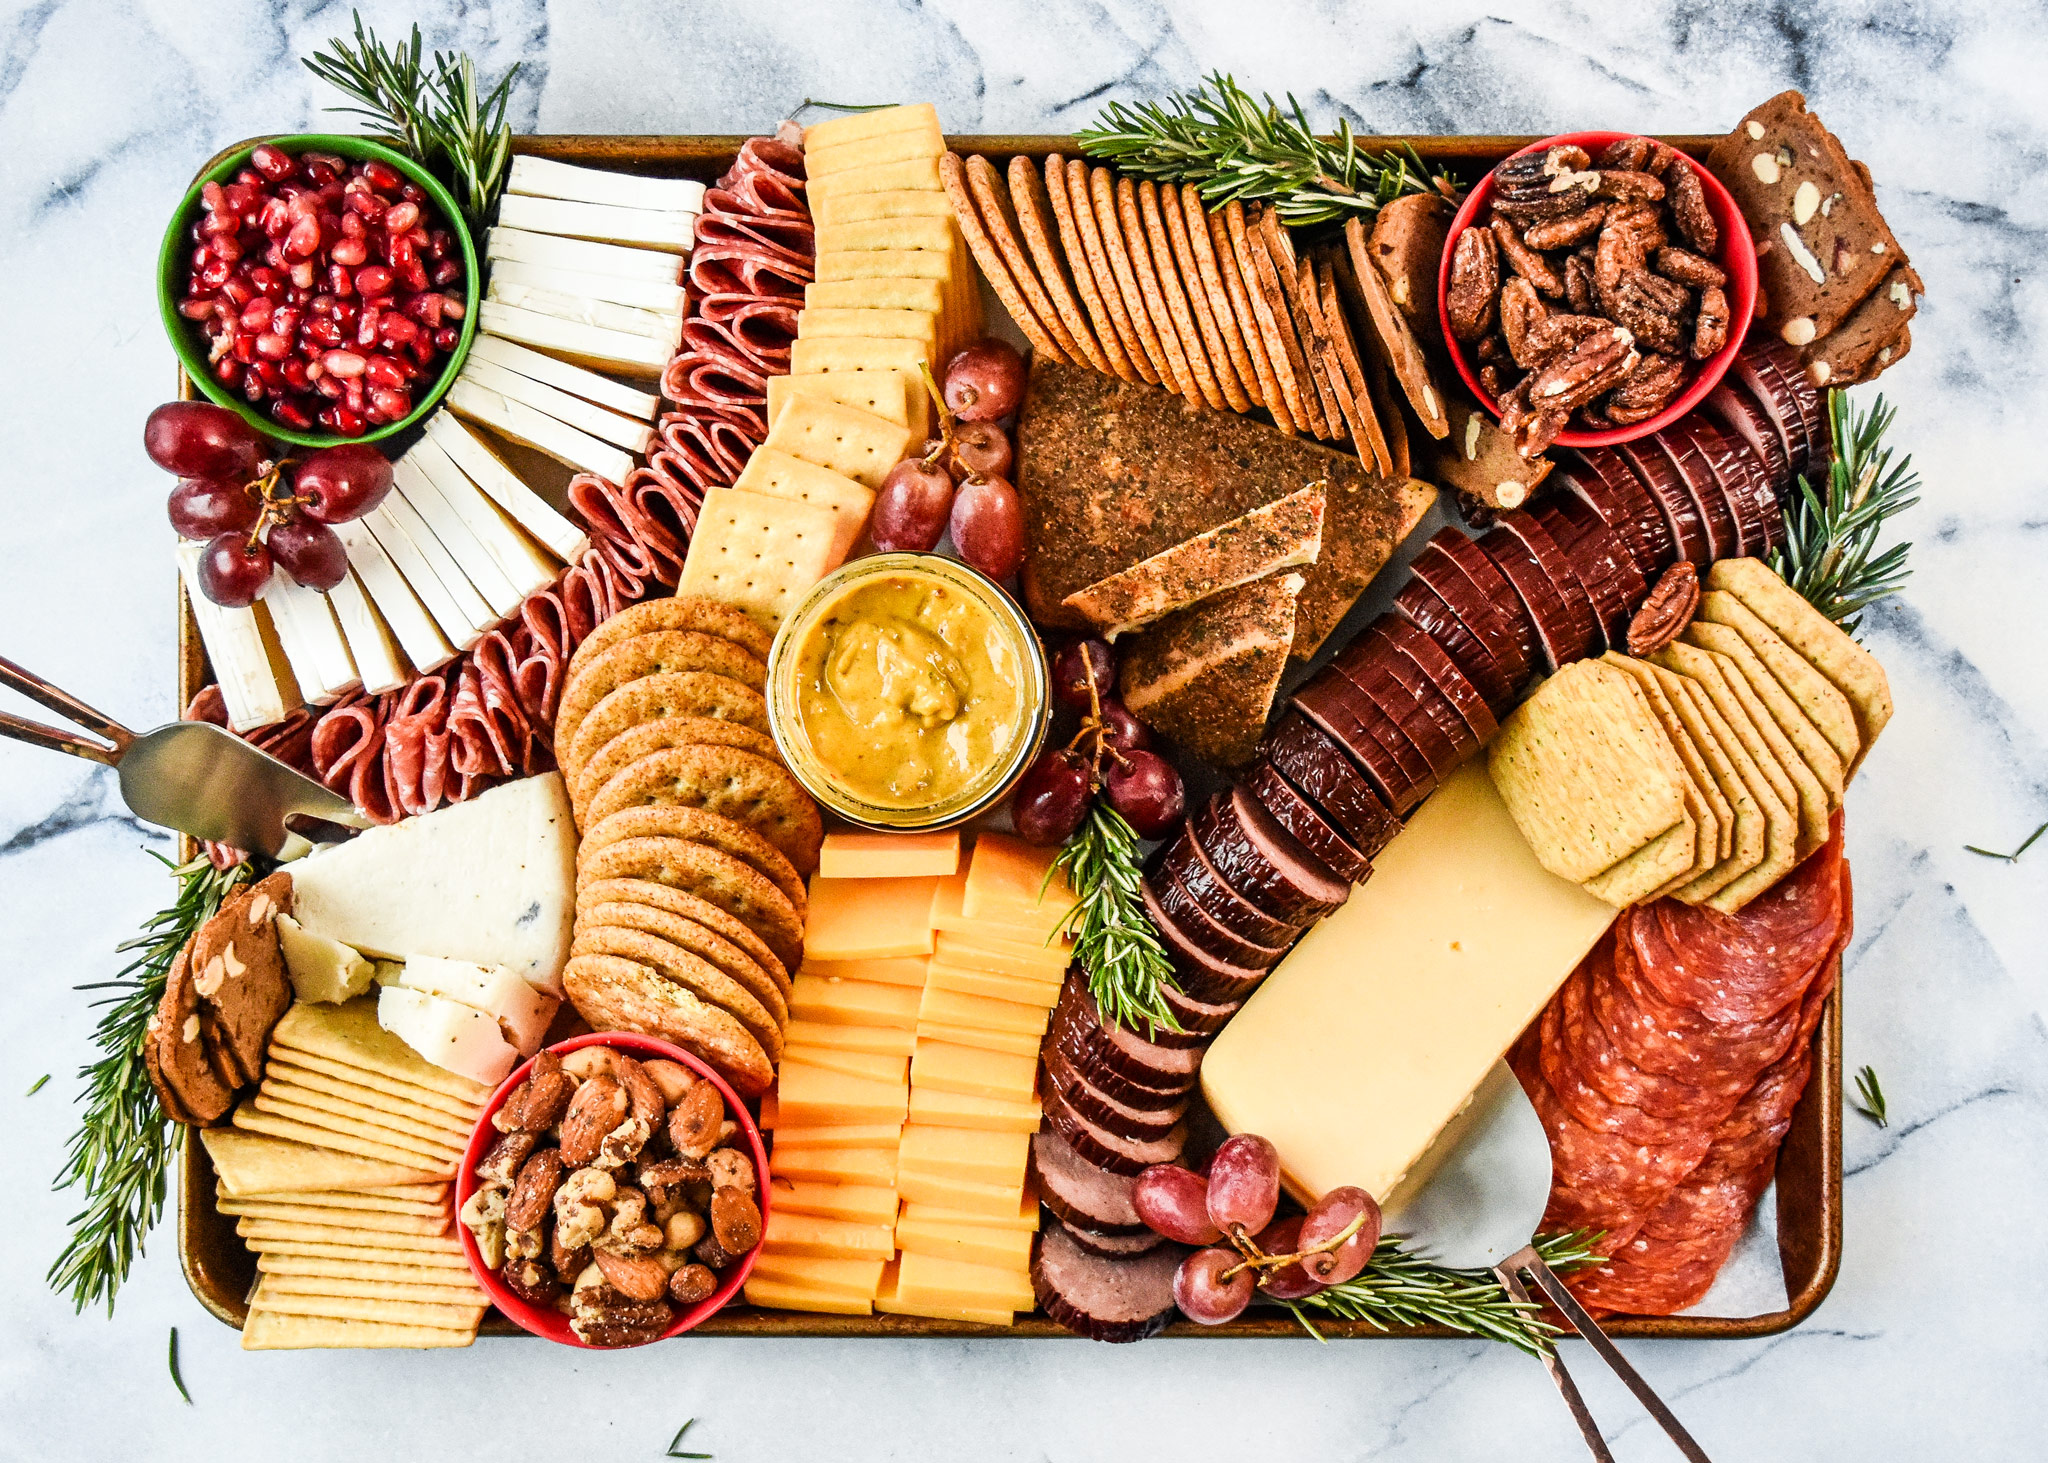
x=120, y=1157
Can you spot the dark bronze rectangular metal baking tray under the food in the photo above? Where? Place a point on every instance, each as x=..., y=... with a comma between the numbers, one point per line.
x=1809, y=1165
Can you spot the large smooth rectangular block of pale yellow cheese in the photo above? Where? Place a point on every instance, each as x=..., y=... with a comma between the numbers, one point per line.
x=1383, y=1021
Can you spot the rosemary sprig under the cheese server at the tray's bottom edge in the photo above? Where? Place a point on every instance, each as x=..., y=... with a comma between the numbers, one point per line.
x=1400, y=1288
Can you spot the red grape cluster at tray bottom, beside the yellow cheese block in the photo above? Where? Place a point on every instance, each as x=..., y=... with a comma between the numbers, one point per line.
x=1230, y=1212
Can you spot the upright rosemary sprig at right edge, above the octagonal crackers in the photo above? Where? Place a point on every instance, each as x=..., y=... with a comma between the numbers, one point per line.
x=1832, y=538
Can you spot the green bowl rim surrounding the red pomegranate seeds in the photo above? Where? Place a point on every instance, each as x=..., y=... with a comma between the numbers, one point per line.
x=191, y=343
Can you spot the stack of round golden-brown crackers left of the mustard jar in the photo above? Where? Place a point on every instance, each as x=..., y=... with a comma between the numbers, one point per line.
x=689, y=880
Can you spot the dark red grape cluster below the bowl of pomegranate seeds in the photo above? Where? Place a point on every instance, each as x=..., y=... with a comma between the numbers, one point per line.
x=234, y=499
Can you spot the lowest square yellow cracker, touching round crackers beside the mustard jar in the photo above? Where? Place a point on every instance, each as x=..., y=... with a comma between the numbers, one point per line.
x=761, y=554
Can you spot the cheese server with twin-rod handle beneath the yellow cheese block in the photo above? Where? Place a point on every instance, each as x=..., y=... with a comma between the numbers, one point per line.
x=1476, y=1202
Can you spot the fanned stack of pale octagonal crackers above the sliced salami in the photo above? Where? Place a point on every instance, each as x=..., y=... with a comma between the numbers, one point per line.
x=1707, y=771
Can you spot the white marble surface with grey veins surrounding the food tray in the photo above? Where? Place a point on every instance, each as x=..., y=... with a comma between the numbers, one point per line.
x=1934, y=1341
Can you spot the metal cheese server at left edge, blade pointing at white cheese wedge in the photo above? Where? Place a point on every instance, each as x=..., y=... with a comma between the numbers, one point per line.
x=189, y=776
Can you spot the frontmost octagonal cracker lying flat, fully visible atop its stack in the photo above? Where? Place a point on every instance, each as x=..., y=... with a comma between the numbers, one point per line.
x=1586, y=771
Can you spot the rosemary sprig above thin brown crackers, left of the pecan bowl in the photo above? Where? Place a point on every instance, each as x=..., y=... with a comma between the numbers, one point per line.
x=1236, y=147
